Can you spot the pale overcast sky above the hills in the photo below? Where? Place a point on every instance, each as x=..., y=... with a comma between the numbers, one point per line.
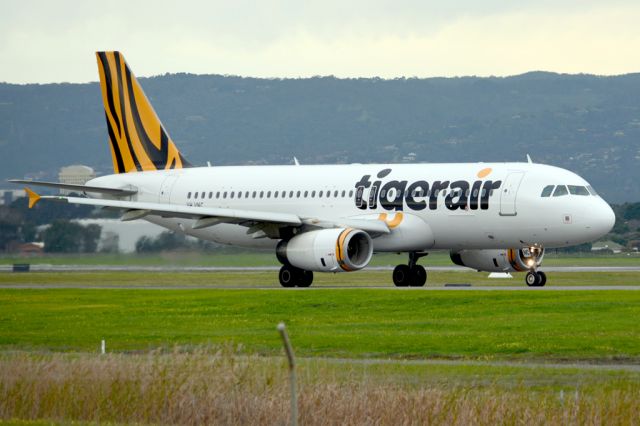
x=54, y=41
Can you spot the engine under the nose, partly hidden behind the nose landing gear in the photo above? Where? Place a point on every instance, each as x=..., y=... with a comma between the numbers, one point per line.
x=509, y=260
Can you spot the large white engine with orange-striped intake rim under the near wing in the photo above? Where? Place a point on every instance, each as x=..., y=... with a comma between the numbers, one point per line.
x=327, y=250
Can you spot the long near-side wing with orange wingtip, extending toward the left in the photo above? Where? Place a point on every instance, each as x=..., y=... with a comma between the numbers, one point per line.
x=209, y=216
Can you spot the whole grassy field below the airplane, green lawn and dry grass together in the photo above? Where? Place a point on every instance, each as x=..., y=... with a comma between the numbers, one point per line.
x=193, y=352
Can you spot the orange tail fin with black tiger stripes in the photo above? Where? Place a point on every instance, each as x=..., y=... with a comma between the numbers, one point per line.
x=139, y=142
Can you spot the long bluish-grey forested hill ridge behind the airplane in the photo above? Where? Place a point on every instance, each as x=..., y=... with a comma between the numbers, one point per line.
x=588, y=124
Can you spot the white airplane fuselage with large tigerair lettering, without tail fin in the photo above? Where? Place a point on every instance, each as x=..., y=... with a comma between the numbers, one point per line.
x=427, y=206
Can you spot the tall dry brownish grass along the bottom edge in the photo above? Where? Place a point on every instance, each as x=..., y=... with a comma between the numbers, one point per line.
x=227, y=387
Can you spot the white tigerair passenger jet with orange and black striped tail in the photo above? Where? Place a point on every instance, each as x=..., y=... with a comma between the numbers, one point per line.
x=496, y=217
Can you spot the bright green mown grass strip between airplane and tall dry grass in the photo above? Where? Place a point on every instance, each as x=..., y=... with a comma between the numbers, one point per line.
x=531, y=325
